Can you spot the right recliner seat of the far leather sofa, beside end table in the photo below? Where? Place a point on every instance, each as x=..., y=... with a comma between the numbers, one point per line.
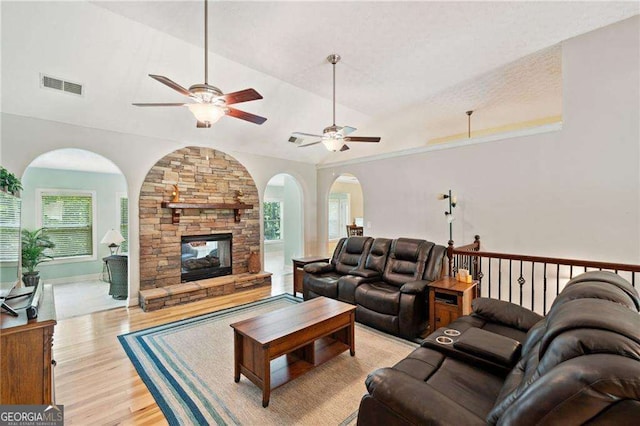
x=397, y=303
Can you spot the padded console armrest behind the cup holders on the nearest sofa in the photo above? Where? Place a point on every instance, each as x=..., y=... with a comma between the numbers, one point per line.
x=494, y=347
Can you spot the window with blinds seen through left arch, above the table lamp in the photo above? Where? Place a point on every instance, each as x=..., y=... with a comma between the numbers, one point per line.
x=68, y=218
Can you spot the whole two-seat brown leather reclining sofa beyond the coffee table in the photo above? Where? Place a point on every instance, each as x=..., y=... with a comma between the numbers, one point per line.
x=386, y=279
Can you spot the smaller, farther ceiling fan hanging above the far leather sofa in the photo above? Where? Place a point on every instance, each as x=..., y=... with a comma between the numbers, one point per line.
x=334, y=137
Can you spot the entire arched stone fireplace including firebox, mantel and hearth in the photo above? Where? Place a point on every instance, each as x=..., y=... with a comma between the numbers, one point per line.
x=217, y=181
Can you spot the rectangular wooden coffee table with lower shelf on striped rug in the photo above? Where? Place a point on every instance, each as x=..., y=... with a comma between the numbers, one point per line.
x=275, y=348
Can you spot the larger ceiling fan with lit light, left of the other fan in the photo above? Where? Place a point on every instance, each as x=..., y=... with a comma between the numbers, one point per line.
x=209, y=102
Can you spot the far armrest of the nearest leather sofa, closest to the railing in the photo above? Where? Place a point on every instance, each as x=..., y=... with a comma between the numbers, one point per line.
x=505, y=313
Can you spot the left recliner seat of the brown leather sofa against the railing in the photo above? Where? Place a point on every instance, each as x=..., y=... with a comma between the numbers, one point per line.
x=321, y=279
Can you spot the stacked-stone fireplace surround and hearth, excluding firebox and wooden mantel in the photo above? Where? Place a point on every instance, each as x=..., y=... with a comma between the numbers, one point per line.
x=203, y=175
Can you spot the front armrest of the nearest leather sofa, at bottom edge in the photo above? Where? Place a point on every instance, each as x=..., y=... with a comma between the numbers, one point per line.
x=417, y=401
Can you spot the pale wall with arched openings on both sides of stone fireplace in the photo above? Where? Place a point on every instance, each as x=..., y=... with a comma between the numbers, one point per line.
x=25, y=138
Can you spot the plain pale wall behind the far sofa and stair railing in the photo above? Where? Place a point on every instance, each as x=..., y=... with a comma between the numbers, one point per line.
x=570, y=193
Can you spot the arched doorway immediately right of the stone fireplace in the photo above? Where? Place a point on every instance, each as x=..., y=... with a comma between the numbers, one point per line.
x=283, y=224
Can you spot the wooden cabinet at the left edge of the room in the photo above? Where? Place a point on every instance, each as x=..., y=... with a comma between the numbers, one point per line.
x=26, y=364
